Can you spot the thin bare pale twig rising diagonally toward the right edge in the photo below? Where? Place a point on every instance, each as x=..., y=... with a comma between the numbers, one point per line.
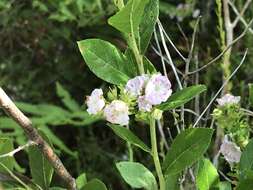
x=221, y=88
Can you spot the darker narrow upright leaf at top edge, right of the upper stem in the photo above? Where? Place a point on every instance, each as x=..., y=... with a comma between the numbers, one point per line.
x=148, y=22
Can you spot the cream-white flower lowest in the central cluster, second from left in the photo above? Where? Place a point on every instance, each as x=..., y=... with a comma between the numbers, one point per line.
x=117, y=112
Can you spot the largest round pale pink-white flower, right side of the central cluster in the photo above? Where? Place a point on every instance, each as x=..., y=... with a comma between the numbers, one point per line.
x=158, y=89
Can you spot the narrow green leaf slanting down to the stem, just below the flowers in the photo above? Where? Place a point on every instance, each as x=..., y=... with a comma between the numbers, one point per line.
x=128, y=136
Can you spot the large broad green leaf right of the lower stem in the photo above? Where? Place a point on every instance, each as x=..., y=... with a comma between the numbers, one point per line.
x=187, y=148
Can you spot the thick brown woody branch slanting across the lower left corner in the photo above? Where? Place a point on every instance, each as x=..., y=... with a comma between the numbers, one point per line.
x=11, y=109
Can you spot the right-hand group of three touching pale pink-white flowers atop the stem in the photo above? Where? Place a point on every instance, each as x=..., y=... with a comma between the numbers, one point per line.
x=149, y=91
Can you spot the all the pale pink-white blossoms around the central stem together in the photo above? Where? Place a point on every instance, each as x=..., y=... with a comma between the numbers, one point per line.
x=148, y=91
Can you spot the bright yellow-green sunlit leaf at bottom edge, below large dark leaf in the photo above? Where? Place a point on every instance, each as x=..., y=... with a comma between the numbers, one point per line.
x=207, y=176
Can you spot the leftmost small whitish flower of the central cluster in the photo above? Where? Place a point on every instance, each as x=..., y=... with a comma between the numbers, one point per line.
x=95, y=101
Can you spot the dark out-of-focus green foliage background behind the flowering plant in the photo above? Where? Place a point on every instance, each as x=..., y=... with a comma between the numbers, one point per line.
x=42, y=69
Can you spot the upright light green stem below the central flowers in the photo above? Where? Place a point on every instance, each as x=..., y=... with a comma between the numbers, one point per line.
x=155, y=154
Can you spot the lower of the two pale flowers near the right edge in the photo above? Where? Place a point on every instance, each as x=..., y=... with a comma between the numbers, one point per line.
x=230, y=151
